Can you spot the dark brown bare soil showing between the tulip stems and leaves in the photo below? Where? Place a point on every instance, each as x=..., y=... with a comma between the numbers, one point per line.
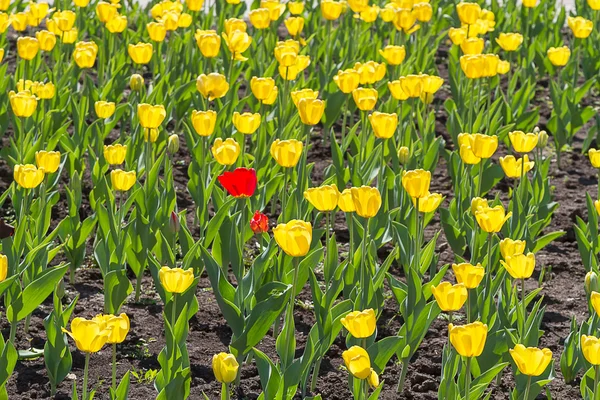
x=563, y=291
